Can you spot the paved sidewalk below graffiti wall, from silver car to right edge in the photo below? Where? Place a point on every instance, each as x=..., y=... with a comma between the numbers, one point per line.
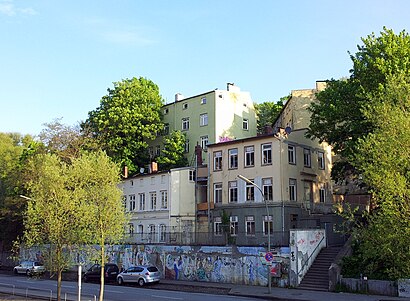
x=284, y=294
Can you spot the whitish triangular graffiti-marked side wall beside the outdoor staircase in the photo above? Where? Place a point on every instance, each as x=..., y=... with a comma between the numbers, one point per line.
x=305, y=245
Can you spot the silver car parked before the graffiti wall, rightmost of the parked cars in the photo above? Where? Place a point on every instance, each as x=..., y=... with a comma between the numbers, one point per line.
x=141, y=274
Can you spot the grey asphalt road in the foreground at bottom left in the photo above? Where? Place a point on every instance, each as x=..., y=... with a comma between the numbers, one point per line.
x=46, y=287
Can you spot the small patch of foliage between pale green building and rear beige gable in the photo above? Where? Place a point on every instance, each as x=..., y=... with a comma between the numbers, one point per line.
x=267, y=112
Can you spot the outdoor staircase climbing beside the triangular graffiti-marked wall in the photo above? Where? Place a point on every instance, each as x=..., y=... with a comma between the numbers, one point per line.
x=317, y=278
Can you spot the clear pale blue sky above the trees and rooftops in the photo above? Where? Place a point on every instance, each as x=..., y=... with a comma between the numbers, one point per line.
x=57, y=58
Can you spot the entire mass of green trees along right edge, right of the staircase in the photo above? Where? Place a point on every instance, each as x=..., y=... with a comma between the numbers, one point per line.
x=366, y=119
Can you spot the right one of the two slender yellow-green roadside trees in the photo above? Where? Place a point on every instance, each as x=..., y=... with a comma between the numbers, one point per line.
x=98, y=178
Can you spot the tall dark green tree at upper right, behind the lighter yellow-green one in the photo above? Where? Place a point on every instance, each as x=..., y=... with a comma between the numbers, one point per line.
x=338, y=116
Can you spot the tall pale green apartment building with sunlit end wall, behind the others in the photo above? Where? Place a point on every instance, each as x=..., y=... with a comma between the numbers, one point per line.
x=207, y=118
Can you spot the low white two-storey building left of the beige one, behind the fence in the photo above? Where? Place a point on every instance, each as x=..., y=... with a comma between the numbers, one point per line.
x=161, y=206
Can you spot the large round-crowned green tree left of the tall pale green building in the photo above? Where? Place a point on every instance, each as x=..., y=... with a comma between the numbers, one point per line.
x=128, y=116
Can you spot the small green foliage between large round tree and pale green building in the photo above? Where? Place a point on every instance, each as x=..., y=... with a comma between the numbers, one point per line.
x=172, y=155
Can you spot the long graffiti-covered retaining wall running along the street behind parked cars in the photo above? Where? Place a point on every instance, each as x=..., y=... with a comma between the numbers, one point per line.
x=237, y=265
